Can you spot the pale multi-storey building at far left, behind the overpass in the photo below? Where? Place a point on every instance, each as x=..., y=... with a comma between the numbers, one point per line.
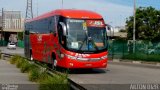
x=12, y=24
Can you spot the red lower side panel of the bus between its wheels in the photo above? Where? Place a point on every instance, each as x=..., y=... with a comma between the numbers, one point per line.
x=42, y=47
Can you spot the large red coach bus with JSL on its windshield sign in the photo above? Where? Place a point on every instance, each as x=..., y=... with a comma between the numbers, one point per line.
x=67, y=38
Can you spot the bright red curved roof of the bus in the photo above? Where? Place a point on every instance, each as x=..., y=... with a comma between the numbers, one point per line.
x=70, y=13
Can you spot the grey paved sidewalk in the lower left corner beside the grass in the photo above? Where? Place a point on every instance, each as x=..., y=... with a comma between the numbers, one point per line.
x=10, y=74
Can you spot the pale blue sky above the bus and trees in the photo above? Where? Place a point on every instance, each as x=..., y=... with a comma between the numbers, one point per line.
x=114, y=12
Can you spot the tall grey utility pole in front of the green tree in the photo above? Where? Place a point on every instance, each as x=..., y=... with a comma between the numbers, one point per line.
x=134, y=27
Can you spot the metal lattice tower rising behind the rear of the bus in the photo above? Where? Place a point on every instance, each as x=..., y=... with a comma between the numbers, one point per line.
x=29, y=11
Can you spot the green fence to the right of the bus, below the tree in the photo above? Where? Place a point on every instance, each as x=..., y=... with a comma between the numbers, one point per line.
x=144, y=50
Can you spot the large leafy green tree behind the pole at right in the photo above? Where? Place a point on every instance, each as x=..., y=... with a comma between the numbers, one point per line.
x=147, y=24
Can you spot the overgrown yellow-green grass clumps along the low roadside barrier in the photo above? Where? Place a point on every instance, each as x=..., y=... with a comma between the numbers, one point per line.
x=40, y=75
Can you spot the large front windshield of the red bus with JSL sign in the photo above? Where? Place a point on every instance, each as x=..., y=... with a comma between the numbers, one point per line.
x=86, y=35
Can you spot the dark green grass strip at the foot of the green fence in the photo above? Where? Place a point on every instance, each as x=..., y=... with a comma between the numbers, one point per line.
x=142, y=57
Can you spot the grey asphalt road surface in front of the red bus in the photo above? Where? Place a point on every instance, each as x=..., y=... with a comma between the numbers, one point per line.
x=115, y=76
